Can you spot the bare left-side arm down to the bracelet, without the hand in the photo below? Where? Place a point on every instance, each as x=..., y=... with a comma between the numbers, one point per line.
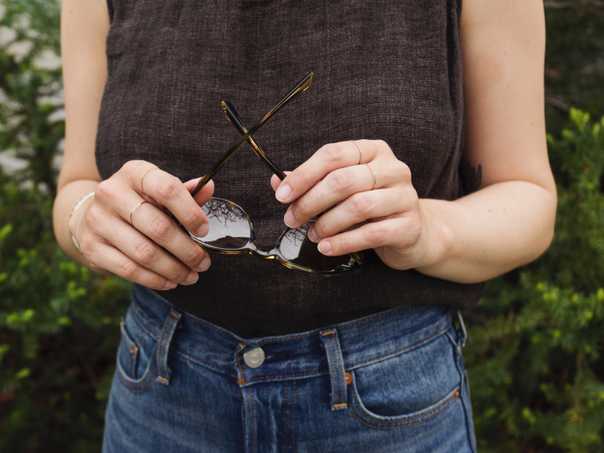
x=84, y=25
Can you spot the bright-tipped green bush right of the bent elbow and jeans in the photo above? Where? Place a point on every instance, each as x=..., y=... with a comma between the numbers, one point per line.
x=535, y=355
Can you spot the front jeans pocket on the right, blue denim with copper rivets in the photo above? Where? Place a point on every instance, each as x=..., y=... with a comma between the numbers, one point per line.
x=410, y=388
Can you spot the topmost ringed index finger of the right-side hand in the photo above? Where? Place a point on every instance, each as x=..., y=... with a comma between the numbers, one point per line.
x=326, y=159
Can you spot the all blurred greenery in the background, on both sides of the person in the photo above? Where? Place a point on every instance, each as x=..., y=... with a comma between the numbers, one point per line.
x=536, y=341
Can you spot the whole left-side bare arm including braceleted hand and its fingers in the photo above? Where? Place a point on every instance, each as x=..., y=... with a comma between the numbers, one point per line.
x=149, y=248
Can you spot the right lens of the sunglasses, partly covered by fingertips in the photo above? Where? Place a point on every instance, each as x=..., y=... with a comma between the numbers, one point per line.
x=297, y=248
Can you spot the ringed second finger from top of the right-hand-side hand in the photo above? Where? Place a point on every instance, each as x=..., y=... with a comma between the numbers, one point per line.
x=339, y=185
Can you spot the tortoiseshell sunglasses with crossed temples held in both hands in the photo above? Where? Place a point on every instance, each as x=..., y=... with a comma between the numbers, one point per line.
x=231, y=230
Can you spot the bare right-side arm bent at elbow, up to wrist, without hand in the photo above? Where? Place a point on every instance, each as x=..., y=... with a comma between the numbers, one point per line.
x=510, y=221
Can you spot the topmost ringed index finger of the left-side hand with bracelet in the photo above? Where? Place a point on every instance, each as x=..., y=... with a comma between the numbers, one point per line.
x=168, y=191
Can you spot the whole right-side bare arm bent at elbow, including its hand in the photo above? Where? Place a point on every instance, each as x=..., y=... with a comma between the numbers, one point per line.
x=507, y=223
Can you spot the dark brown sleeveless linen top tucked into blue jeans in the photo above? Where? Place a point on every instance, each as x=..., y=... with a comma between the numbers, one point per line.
x=384, y=69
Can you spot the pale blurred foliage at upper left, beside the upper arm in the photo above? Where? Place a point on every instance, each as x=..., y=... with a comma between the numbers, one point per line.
x=31, y=120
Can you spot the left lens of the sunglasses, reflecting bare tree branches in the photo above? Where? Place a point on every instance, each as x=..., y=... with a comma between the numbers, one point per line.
x=229, y=224
